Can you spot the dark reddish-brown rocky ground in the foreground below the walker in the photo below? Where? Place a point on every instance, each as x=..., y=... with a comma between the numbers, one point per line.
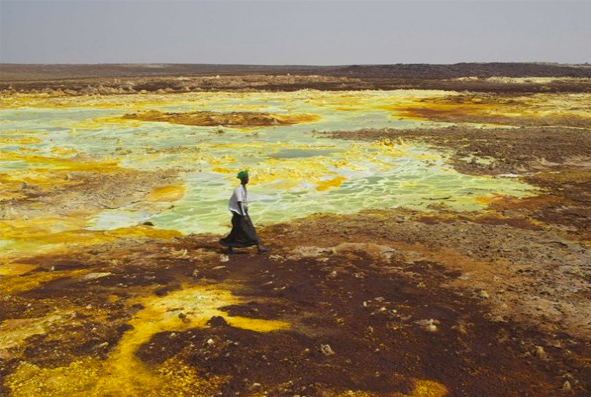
x=485, y=306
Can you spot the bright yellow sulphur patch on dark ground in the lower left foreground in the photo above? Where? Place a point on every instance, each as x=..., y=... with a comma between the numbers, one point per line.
x=122, y=373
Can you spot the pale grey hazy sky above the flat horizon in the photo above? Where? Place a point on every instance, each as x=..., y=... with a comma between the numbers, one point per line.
x=289, y=32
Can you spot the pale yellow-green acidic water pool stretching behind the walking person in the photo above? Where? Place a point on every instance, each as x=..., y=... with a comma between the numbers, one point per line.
x=295, y=169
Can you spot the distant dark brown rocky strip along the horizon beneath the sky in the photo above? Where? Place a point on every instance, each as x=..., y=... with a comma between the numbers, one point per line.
x=126, y=79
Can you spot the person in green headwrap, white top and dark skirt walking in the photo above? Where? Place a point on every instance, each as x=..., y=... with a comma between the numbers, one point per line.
x=243, y=233
